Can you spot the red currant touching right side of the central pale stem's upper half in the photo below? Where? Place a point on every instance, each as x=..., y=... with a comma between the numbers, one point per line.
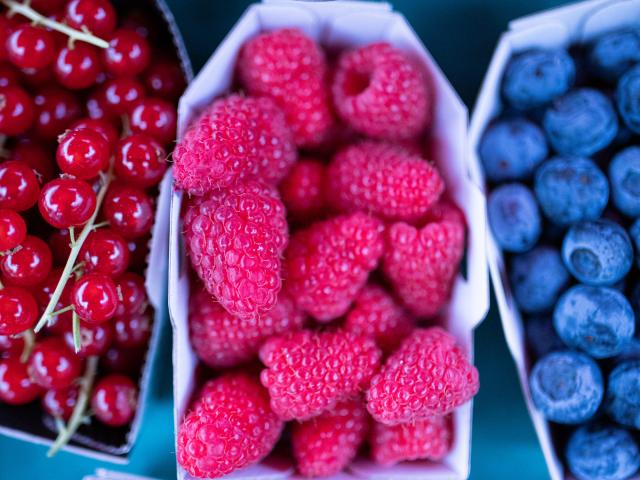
x=129, y=211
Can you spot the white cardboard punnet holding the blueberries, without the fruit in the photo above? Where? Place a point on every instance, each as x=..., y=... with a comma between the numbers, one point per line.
x=559, y=27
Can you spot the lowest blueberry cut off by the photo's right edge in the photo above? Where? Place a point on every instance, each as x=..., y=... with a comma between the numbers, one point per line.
x=623, y=394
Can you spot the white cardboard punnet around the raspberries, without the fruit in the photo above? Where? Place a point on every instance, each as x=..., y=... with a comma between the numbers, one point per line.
x=342, y=25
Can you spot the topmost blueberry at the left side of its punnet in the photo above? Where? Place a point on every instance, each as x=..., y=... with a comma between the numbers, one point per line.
x=535, y=77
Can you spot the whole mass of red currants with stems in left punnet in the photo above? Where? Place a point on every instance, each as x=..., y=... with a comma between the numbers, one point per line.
x=87, y=108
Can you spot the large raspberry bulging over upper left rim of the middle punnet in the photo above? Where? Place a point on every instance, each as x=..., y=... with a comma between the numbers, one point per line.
x=234, y=138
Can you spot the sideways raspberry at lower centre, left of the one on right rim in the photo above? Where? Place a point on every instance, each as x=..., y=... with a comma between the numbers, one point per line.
x=310, y=372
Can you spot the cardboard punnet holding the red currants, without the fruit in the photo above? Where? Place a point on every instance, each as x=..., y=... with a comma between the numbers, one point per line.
x=102, y=443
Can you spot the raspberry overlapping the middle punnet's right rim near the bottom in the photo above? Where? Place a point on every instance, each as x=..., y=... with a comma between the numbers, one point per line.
x=428, y=375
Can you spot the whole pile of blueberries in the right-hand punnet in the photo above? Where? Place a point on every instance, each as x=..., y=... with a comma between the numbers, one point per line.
x=563, y=163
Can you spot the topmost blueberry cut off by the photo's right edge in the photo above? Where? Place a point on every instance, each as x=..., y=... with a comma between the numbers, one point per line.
x=614, y=53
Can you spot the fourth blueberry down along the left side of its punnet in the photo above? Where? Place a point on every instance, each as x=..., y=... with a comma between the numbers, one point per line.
x=537, y=278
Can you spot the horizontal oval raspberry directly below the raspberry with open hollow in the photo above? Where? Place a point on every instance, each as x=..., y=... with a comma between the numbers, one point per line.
x=383, y=179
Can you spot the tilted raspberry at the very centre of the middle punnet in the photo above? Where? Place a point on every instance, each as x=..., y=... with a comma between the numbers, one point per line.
x=327, y=263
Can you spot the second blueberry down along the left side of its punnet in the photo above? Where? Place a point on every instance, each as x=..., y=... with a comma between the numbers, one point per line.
x=511, y=149
